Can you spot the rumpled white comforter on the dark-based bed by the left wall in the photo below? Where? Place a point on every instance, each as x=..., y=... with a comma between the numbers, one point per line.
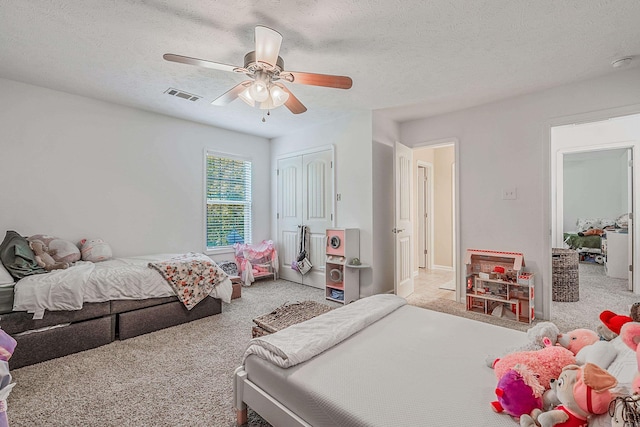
x=115, y=279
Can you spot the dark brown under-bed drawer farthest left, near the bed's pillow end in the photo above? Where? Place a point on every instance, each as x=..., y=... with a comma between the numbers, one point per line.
x=60, y=341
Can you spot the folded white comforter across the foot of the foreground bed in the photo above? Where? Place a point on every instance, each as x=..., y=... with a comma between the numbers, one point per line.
x=301, y=342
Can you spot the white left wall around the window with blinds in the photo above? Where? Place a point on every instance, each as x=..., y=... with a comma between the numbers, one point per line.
x=75, y=167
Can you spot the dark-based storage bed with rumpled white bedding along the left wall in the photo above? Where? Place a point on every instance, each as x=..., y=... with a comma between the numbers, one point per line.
x=91, y=304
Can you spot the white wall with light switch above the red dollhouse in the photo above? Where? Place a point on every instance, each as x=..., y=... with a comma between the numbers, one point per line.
x=506, y=144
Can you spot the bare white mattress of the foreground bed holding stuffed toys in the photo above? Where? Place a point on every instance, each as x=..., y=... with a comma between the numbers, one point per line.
x=413, y=367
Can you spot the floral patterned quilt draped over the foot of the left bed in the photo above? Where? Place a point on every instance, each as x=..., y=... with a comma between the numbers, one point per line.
x=192, y=276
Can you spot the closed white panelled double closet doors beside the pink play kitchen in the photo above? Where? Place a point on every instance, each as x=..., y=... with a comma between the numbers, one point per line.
x=305, y=197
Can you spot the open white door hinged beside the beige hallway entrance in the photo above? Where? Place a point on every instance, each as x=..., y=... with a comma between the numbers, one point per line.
x=402, y=167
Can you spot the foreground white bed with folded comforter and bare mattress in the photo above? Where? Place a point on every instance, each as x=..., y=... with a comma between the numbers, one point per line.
x=410, y=367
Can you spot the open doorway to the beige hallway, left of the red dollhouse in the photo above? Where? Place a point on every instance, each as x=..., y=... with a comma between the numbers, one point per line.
x=434, y=228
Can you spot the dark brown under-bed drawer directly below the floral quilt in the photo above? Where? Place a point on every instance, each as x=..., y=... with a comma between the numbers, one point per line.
x=138, y=322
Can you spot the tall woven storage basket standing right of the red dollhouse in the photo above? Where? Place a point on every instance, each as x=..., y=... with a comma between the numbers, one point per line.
x=566, y=283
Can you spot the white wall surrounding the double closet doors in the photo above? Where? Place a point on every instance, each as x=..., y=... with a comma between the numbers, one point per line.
x=351, y=137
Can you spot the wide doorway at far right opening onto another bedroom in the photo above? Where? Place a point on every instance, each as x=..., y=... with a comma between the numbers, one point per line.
x=592, y=186
